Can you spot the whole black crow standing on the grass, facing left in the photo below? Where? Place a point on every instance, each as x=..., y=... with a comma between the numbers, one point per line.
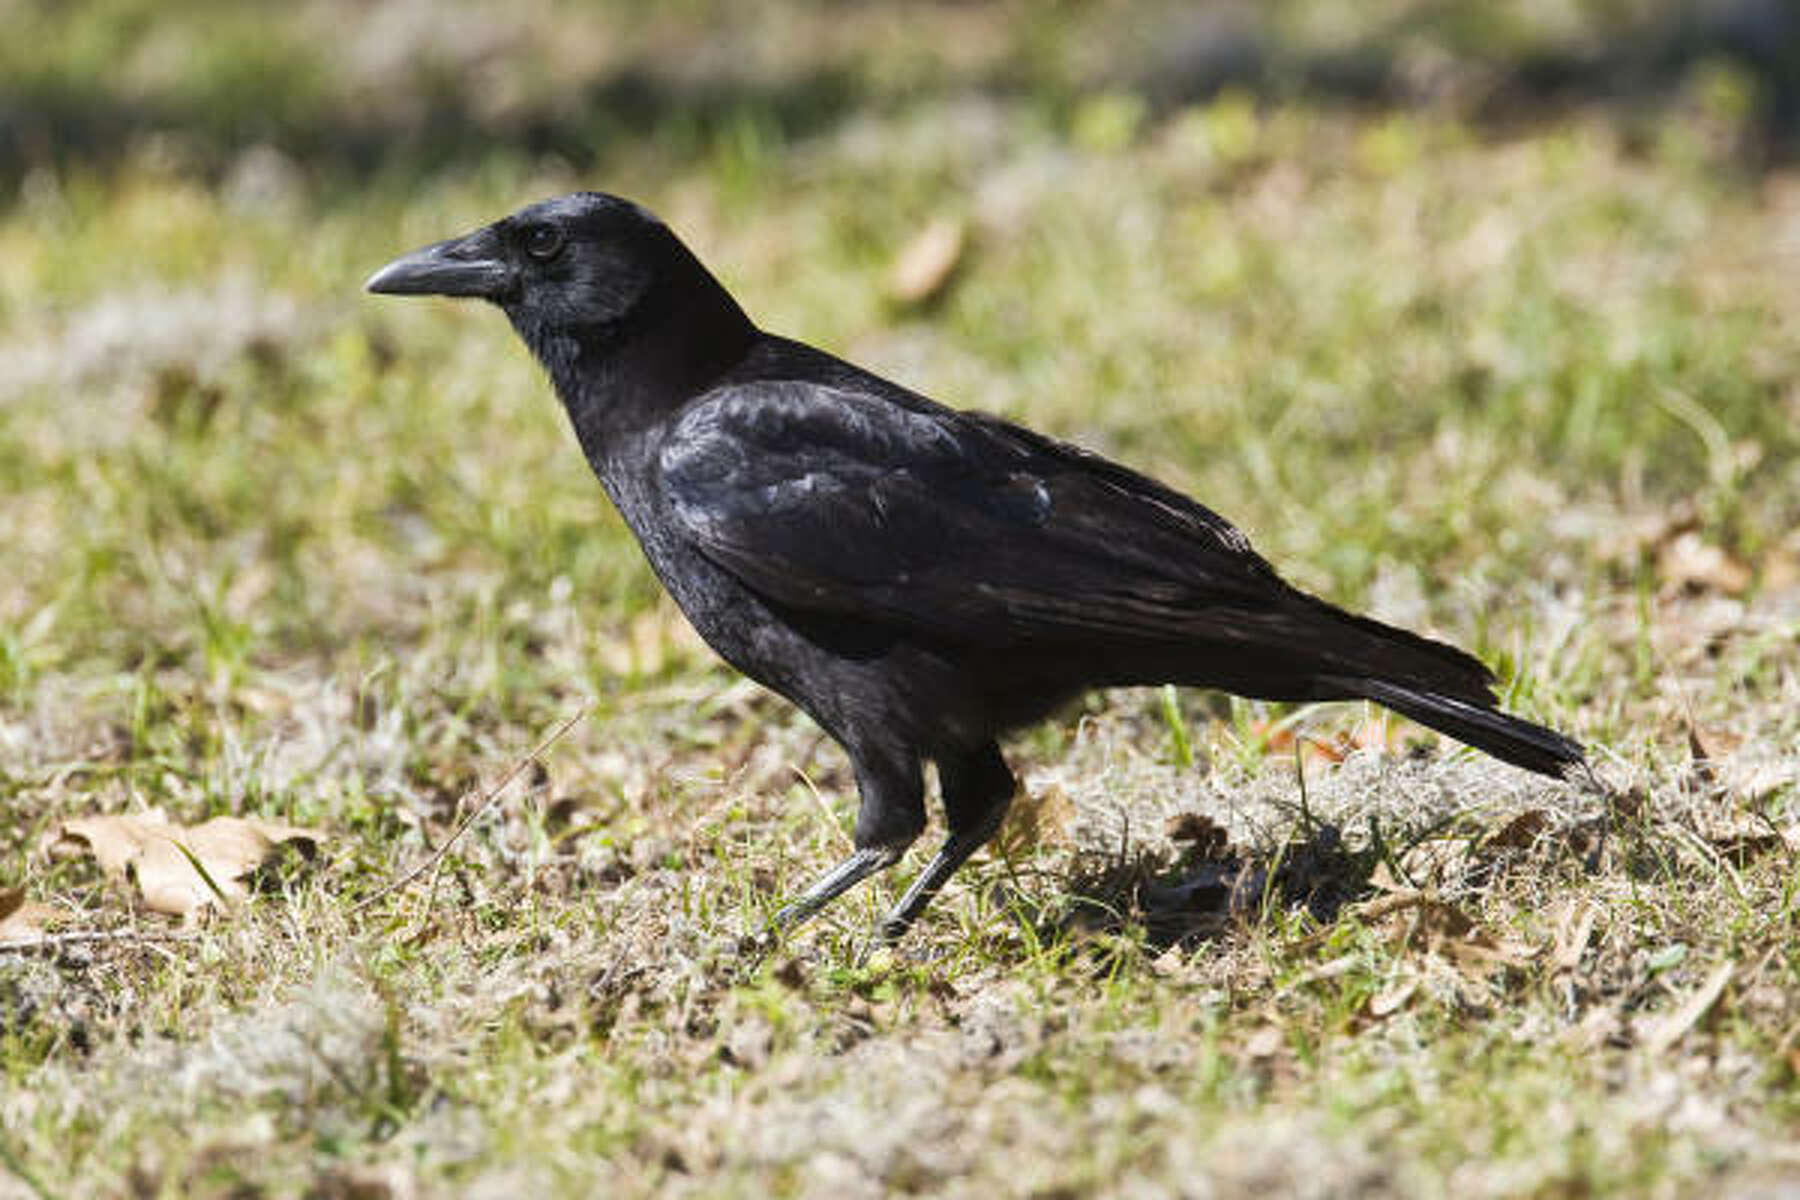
x=917, y=578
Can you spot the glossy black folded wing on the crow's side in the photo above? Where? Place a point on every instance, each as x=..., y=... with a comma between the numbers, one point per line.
x=953, y=524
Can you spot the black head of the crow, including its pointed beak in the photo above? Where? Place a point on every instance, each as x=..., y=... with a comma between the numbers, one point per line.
x=584, y=278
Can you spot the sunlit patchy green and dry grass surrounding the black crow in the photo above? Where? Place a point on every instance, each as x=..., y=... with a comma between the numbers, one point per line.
x=280, y=550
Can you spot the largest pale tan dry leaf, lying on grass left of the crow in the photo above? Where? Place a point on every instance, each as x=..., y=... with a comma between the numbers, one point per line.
x=183, y=870
